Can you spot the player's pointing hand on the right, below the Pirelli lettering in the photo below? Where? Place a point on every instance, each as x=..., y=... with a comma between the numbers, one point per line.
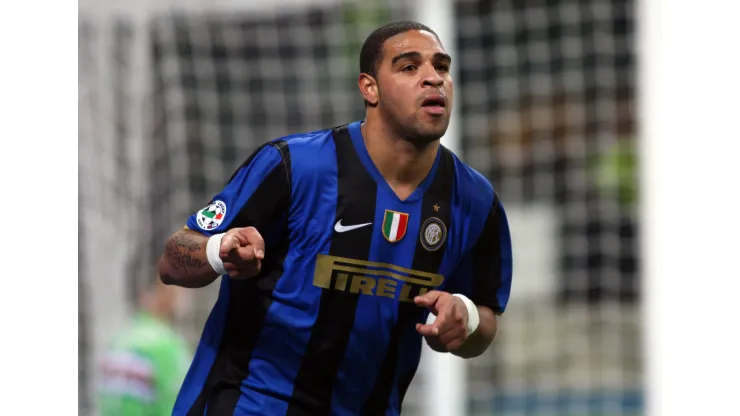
x=449, y=330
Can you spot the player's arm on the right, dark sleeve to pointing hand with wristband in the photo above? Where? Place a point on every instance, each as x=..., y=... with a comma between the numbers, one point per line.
x=466, y=320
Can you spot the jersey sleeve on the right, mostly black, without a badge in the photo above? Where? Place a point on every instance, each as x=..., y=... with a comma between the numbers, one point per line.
x=486, y=271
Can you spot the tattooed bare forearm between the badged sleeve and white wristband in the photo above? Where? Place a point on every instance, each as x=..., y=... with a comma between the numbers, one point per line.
x=184, y=262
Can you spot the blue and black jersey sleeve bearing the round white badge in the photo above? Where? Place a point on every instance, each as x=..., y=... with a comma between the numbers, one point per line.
x=257, y=195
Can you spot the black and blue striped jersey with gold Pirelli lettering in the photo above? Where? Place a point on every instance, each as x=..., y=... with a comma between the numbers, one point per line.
x=328, y=325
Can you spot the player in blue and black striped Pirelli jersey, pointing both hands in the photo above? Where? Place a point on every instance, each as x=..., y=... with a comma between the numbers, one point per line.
x=336, y=245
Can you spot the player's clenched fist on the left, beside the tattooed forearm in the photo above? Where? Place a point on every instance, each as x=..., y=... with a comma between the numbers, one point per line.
x=242, y=251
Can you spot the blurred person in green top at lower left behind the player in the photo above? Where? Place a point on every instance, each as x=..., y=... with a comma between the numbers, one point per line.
x=147, y=360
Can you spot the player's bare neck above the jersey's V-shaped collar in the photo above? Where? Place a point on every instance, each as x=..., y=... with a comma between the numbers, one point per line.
x=403, y=164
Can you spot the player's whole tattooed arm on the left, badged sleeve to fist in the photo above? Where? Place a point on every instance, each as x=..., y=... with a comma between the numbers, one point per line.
x=255, y=200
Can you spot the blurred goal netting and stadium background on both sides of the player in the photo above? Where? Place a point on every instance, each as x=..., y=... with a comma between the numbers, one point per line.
x=174, y=97
